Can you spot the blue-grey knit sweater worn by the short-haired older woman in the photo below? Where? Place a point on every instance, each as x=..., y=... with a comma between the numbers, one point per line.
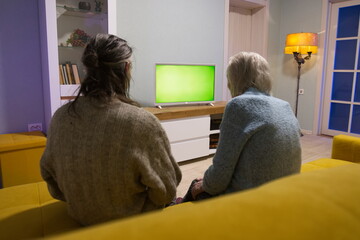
x=259, y=142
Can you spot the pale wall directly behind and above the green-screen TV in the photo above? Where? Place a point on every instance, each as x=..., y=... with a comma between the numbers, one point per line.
x=171, y=31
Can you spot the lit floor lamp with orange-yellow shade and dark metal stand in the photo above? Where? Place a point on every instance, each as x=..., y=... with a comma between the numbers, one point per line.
x=297, y=44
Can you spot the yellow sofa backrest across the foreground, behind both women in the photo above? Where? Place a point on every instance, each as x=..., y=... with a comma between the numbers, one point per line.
x=312, y=205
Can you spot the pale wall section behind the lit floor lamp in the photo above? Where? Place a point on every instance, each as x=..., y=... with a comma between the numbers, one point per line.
x=291, y=16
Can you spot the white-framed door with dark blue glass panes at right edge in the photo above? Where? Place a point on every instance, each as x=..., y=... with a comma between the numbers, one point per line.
x=341, y=109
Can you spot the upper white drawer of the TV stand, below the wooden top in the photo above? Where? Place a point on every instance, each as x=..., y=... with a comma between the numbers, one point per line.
x=187, y=128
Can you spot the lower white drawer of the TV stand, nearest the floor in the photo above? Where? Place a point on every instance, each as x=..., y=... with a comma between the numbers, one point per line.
x=183, y=151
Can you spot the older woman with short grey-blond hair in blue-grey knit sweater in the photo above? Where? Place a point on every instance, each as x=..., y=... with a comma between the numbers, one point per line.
x=259, y=134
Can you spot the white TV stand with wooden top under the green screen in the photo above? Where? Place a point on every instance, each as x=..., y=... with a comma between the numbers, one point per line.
x=189, y=128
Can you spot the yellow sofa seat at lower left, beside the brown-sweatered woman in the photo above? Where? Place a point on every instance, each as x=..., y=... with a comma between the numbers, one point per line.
x=28, y=211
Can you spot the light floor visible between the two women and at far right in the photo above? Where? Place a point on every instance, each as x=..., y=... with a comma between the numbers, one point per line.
x=313, y=147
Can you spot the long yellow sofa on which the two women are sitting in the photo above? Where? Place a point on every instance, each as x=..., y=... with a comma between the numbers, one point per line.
x=320, y=203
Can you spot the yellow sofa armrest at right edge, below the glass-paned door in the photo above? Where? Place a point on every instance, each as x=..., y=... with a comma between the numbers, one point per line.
x=346, y=148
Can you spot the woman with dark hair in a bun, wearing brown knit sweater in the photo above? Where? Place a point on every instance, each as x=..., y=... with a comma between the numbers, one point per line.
x=105, y=156
